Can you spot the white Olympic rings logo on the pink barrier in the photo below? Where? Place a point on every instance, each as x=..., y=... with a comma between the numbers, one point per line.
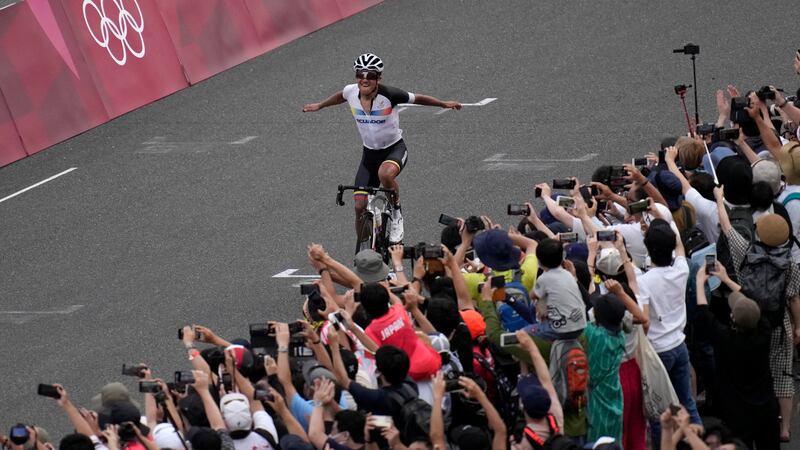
x=117, y=30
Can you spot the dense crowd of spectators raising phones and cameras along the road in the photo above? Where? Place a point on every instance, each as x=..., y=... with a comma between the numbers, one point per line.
x=656, y=306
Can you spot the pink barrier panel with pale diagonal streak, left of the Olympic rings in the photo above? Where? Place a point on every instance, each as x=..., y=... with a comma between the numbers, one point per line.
x=44, y=80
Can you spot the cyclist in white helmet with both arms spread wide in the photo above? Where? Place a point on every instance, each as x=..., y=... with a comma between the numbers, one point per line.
x=373, y=107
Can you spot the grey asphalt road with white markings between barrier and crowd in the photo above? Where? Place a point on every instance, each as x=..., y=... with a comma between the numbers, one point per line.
x=182, y=211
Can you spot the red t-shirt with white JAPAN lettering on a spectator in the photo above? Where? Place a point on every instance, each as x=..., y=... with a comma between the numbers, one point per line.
x=394, y=328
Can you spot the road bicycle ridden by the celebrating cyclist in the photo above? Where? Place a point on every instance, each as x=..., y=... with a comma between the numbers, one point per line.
x=375, y=224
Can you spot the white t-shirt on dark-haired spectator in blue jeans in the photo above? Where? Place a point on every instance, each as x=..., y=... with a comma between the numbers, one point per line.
x=664, y=289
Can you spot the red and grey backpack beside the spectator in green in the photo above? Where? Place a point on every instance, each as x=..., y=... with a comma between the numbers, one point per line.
x=569, y=369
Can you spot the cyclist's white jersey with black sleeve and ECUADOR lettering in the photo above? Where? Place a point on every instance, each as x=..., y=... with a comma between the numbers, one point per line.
x=380, y=127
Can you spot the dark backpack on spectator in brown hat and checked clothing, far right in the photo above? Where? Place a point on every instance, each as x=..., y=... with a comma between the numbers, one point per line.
x=763, y=277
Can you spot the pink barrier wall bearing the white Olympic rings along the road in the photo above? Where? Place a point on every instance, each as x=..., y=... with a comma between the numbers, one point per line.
x=69, y=65
